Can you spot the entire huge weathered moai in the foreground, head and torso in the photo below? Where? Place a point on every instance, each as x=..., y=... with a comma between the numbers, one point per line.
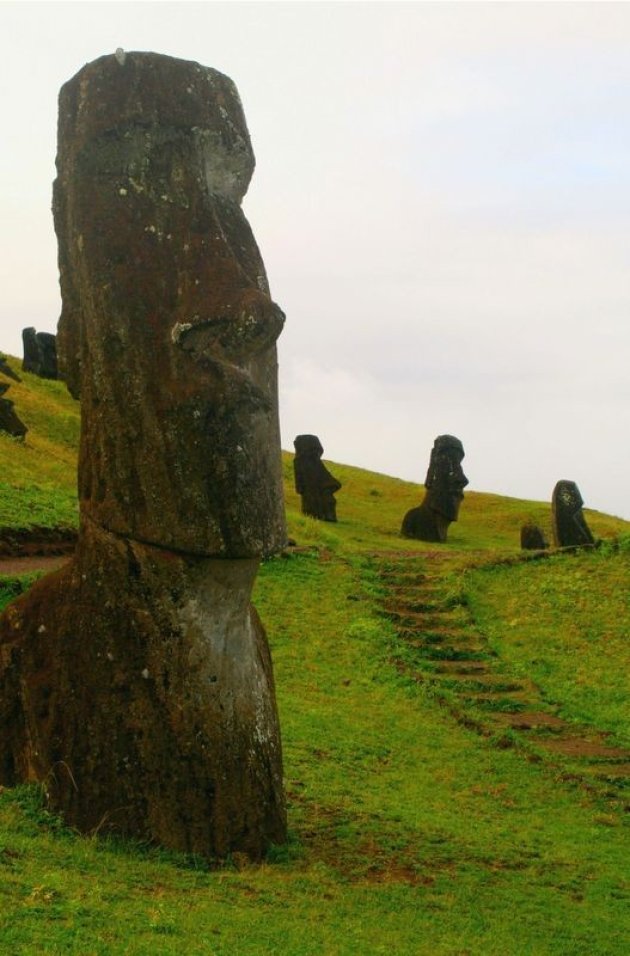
x=136, y=682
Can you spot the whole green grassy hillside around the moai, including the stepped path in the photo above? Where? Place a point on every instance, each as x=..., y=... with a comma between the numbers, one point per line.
x=426, y=695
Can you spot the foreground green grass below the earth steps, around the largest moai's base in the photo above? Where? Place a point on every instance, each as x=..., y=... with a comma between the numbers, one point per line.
x=408, y=832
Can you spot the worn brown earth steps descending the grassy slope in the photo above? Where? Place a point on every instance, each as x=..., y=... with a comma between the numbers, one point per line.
x=440, y=645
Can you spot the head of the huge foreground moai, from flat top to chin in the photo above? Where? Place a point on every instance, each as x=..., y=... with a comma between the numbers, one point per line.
x=167, y=331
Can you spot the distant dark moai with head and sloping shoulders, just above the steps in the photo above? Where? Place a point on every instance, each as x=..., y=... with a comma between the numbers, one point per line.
x=445, y=483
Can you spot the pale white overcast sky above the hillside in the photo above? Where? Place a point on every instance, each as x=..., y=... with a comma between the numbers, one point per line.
x=442, y=200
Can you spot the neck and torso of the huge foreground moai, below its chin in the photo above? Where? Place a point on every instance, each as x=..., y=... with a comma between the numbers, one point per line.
x=148, y=707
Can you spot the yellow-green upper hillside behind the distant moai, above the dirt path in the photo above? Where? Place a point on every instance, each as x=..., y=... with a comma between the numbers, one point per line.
x=38, y=485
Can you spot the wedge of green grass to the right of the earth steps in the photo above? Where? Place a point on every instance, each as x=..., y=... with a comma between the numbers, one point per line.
x=565, y=622
